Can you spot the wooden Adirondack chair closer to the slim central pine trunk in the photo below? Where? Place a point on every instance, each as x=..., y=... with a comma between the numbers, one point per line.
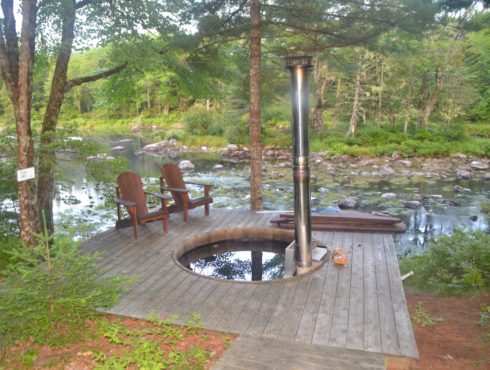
x=174, y=181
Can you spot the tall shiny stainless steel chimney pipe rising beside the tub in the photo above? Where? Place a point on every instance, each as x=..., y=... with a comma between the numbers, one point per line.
x=299, y=66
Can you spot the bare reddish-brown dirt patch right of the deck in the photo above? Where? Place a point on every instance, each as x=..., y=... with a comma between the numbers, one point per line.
x=457, y=342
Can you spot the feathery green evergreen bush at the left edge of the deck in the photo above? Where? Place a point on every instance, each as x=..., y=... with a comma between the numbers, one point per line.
x=51, y=290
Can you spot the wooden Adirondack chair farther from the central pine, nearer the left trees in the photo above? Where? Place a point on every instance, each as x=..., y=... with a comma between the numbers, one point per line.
x=130, y=194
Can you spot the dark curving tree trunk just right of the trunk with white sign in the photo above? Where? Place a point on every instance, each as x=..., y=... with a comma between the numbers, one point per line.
x=48, y=130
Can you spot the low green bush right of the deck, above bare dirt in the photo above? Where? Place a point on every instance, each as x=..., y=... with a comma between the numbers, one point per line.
x=454, y=264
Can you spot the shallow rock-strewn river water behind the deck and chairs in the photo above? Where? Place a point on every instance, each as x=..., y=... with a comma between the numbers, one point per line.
x=440, y=209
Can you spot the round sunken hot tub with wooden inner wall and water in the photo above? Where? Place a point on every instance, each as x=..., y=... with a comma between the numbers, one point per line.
x=238, y=254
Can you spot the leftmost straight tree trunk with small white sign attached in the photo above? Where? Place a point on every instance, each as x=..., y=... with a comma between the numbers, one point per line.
x=29, y=221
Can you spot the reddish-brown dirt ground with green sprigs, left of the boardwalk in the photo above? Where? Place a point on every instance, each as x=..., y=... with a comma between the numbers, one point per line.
x=83, y=355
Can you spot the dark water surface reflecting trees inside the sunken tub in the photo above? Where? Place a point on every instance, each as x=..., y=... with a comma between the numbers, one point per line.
x=238, y=260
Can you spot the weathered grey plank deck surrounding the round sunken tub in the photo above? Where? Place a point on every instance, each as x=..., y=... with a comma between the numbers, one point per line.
x=360, y=307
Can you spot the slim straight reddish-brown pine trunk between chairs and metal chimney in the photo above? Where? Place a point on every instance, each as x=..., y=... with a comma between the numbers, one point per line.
x=255, y=138
